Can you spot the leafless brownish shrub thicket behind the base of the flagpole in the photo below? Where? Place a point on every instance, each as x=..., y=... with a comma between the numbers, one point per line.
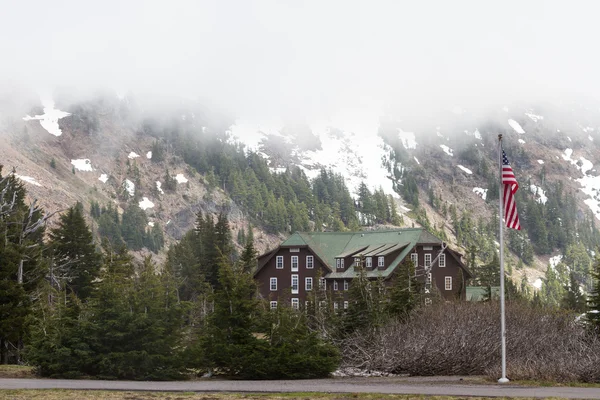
x=464, y=339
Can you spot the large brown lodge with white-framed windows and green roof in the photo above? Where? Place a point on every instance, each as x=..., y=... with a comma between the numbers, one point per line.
x=307, y=261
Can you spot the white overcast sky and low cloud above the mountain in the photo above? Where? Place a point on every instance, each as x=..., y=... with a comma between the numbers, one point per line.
x=300, y=58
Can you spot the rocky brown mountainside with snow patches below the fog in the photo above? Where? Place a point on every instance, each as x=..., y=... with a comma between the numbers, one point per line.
x=101, y=150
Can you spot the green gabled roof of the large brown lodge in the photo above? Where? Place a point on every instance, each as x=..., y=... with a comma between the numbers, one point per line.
x=328, y=245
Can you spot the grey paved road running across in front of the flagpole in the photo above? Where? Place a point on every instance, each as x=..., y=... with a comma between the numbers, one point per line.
x=345, y=385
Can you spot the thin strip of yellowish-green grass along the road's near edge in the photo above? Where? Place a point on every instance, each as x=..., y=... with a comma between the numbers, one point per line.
x=55, y=394
